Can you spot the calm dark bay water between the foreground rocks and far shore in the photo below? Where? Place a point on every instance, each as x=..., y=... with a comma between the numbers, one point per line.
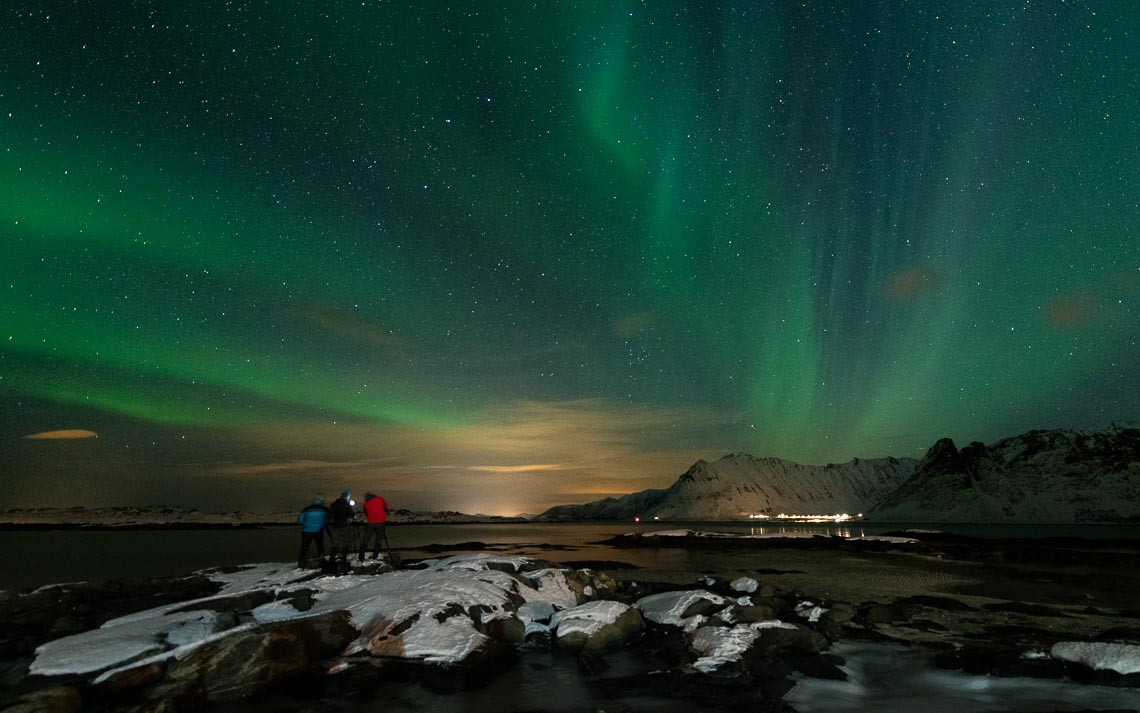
x=35, y=558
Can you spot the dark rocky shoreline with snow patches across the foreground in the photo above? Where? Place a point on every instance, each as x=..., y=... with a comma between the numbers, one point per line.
x=724, y=643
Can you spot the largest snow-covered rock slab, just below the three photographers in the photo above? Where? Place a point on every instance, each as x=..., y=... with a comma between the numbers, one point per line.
x=436, y=615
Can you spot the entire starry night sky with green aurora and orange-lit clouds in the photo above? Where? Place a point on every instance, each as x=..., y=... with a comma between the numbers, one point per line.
x=494, y=257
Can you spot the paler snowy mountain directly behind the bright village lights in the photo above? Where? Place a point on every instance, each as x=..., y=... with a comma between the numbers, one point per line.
x=740, y=485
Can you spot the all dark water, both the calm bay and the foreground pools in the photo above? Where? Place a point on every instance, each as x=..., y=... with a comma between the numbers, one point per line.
x=885, y=678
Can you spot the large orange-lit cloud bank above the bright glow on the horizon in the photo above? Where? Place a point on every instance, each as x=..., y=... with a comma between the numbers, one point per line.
x=515, y=458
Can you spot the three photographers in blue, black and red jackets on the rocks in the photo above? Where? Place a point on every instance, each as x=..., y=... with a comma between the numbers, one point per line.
x=338, y=521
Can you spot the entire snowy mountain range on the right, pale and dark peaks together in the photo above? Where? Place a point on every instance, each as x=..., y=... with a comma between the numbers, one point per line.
x=1041, y=476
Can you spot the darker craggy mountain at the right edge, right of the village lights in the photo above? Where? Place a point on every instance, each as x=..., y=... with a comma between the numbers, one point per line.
x=1044, y=476
